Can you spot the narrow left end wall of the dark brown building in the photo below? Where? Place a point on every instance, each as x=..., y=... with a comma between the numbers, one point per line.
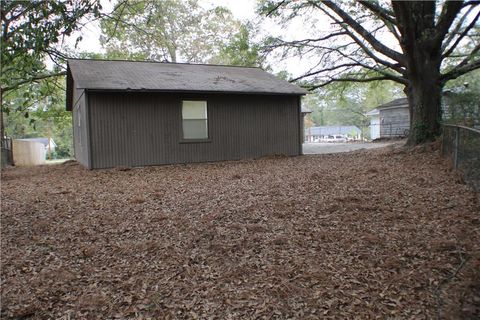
x=79, y=118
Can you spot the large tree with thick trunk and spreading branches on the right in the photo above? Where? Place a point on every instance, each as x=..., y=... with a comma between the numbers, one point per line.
x=419, y=44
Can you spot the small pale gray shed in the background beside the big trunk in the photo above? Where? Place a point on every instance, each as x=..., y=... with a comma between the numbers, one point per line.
x=390, y=120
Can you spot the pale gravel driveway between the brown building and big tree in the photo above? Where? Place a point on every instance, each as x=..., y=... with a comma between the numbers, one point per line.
x=322, y=148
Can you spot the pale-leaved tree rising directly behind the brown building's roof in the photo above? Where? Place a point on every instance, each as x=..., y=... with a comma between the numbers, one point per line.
x=168, y=30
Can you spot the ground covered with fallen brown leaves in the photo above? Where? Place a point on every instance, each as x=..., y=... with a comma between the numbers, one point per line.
x=388, y=233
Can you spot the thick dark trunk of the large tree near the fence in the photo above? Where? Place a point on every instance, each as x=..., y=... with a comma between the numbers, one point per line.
x=423, y=53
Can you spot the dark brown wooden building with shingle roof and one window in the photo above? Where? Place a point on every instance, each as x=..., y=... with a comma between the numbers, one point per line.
x=151, y=113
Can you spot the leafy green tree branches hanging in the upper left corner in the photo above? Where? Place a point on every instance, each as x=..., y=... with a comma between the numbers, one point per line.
x=30, y=32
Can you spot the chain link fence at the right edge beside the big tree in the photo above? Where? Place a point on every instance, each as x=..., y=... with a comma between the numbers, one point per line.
x=462, y=145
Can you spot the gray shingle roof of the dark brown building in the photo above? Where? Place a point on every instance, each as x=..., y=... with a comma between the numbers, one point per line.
x=156, y=76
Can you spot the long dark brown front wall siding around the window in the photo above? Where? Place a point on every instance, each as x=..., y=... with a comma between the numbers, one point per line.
x=138, y=129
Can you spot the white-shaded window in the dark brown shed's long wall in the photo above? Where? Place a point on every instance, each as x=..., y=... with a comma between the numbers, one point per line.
x=194, y=120
